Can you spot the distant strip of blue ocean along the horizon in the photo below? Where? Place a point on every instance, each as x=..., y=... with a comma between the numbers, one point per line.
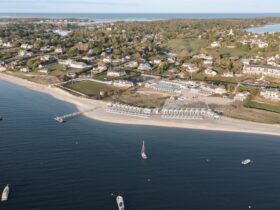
x=103, y=17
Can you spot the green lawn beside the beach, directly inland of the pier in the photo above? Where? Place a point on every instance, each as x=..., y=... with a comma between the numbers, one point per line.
x=92, y=89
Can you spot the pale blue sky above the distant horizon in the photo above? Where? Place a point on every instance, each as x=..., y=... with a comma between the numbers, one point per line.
x=140, y=6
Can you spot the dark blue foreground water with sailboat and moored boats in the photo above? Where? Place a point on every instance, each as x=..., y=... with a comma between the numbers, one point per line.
x=83, y=164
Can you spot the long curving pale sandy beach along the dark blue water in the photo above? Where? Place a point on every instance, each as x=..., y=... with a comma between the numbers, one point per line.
x=99, y=113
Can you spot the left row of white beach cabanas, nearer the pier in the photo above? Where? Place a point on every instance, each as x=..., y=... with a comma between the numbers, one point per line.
x=128, y=110
